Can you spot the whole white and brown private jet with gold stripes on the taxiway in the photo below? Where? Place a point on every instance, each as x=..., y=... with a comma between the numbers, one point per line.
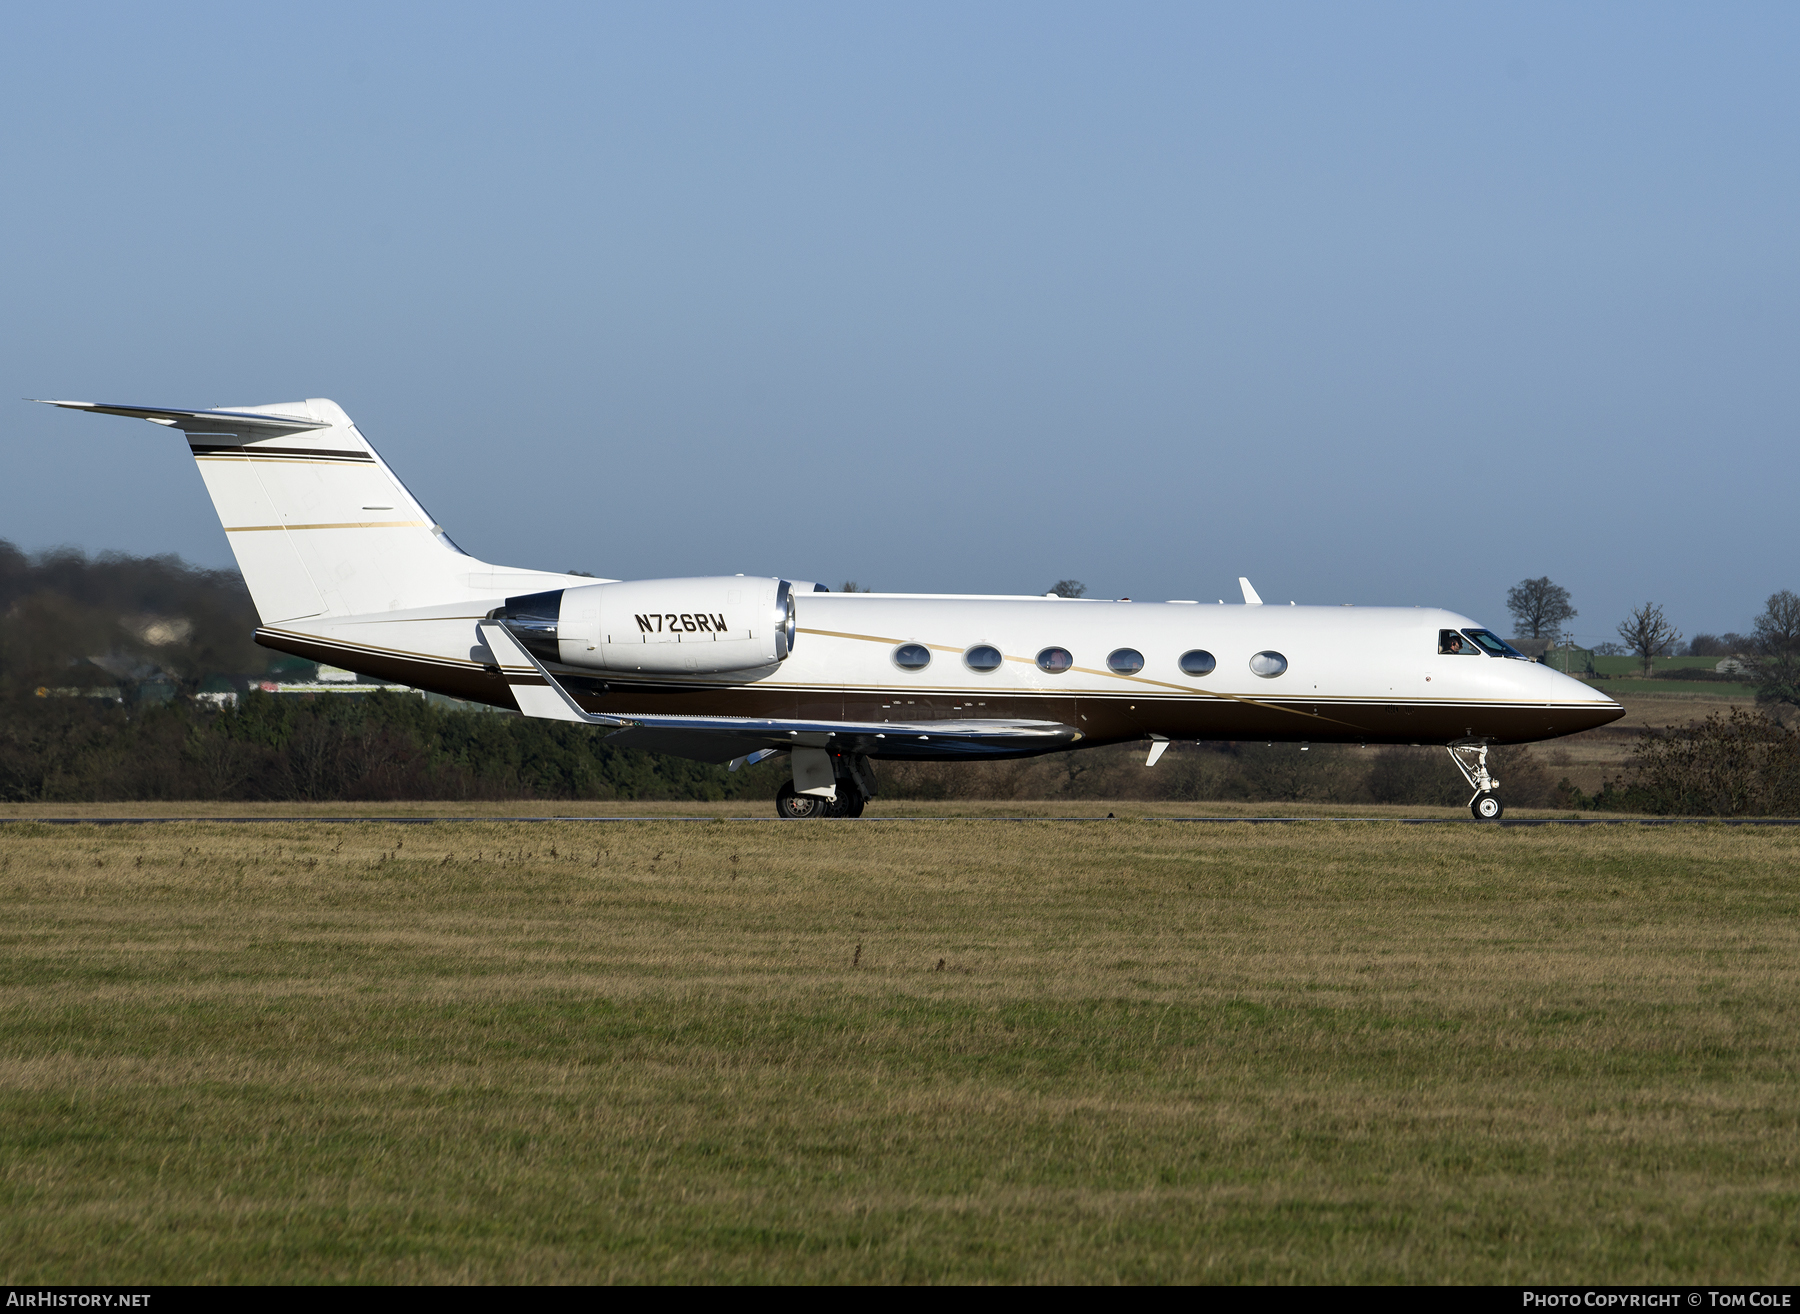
x=346, y=568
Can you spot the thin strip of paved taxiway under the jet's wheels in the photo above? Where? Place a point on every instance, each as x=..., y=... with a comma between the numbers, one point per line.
x=885, y=822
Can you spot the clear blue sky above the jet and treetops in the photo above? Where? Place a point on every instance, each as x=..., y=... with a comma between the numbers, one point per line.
x=1369, y=303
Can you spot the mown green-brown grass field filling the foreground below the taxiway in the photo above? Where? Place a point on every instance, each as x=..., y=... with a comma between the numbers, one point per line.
x=942, y=1052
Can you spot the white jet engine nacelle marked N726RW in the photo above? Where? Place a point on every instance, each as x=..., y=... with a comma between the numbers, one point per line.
x=706, y=625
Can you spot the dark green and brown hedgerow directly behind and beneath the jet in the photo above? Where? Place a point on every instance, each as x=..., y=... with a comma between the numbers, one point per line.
x=391, y=746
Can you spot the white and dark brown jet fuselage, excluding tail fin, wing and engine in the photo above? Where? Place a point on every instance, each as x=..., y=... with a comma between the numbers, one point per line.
x=1353, y=674
